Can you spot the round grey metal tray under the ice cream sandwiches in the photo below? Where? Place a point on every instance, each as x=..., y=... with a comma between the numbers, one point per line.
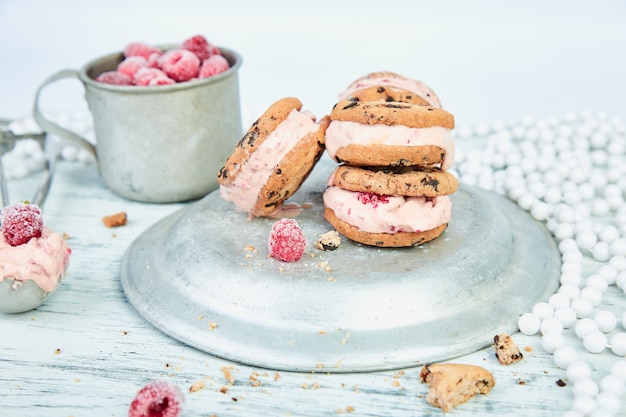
x=195, y=276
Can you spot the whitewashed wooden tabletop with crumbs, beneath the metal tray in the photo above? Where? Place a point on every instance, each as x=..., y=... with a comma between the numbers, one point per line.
x=86, y=352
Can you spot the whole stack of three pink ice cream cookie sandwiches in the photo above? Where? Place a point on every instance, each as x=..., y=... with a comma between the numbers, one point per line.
x=393, y=142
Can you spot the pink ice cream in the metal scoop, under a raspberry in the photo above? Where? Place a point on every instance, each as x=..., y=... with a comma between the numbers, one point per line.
x=42, y=260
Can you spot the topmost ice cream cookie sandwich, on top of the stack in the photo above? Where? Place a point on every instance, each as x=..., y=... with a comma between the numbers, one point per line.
x=389, y=86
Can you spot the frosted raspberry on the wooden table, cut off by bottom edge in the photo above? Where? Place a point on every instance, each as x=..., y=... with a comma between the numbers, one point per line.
x=160, y=398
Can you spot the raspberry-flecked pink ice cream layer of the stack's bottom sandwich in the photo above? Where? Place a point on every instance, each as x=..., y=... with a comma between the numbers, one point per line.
x=373, y=213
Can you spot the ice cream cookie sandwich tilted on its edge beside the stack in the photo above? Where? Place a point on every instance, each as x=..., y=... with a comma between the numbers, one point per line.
x=273, y=158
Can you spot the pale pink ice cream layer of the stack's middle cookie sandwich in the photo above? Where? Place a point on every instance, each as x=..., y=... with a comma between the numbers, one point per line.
x=340, y=134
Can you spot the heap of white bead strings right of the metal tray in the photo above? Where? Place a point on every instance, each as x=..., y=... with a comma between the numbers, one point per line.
x=568, y=173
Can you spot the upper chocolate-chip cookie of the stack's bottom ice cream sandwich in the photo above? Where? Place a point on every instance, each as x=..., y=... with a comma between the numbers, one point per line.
x=405, y=181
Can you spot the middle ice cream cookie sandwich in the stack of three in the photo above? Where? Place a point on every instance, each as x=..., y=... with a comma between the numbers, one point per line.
x=390, y=134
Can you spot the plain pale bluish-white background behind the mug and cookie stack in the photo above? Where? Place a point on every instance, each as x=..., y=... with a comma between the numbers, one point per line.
x=488, y=60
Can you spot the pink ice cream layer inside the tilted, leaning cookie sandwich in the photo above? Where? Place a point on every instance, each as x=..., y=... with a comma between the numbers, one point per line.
x=244, y=190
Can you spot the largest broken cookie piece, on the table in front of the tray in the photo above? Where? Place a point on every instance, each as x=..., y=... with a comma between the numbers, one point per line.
x=452, y=384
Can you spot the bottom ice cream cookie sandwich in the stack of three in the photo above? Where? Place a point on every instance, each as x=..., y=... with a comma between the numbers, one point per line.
x=389, y=208
